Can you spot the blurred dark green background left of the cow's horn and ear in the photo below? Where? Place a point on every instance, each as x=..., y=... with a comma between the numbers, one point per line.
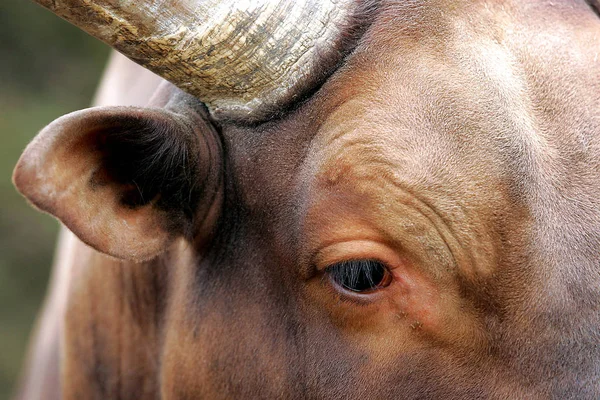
x=47, y=68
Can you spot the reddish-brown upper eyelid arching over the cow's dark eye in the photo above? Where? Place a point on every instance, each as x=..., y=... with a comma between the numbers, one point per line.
x=356, y=250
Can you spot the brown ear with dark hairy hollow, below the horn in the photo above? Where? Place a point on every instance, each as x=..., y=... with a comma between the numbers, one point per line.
x=127, y=181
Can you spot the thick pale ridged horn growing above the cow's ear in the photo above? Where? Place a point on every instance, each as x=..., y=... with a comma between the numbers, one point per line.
x=242, y=58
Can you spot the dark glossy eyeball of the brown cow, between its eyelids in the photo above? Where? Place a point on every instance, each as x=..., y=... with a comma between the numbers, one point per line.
x=358, y=275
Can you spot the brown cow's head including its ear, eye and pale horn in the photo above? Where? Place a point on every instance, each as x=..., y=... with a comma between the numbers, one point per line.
x=424, y=223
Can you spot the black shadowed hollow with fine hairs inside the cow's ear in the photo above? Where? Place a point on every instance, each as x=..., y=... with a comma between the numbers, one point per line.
x=151, y=161
